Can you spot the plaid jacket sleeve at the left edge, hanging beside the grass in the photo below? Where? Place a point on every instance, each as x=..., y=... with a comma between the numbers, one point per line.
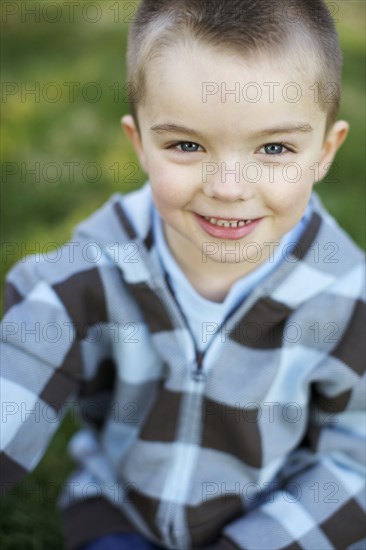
x=41, y=369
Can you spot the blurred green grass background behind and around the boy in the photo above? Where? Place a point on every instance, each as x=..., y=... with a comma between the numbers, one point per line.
x=68, y=133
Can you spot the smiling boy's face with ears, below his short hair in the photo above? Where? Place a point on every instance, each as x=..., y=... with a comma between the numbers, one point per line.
x=252, y=149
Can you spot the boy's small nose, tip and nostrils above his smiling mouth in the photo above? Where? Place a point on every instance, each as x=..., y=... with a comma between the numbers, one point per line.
x=229, y=181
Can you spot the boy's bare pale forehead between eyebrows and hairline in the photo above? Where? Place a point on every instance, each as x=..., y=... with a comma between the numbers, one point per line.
x=213, y=84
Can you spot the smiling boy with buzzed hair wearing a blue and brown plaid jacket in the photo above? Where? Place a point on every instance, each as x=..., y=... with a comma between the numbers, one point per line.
x=214, y=346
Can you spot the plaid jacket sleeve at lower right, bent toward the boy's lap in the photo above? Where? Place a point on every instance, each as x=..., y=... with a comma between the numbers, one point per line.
x=322, y=503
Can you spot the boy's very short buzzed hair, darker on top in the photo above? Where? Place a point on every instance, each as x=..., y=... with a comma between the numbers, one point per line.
x=248, y=27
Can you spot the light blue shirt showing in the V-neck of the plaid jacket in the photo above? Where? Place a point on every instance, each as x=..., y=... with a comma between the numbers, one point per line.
x=205, y=316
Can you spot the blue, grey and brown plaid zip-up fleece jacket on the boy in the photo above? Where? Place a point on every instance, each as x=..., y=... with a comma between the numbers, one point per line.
x=255, y=444
